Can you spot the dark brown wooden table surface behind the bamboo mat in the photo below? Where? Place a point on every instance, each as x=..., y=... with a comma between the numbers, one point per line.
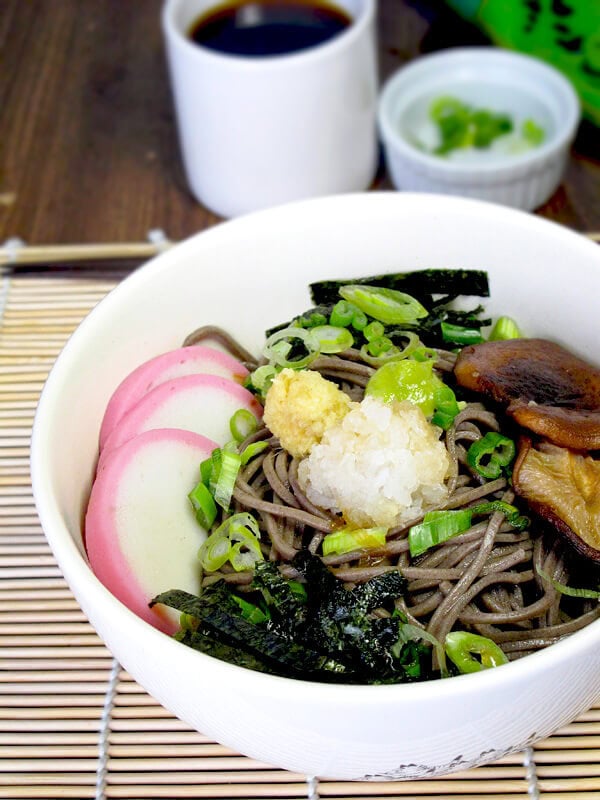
x=88, y=147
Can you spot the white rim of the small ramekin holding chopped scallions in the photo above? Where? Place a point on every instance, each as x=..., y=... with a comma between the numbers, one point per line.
x=479, y=57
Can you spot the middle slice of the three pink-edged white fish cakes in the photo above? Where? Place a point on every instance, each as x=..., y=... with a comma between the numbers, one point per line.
x=202, y=404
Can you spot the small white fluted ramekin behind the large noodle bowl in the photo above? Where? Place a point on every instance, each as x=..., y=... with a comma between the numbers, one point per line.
x=483, y=77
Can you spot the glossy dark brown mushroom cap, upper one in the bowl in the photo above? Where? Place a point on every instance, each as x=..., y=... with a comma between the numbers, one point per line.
x=544, y=387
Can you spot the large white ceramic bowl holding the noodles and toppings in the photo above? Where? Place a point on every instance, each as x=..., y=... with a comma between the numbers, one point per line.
x=246, y=275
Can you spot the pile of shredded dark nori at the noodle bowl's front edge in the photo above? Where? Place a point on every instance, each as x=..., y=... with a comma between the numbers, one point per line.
x=329, y=634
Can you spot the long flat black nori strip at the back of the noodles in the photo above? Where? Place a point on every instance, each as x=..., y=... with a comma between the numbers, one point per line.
x=421, y=284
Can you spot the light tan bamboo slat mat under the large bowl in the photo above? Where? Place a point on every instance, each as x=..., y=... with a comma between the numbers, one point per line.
x=73, y=724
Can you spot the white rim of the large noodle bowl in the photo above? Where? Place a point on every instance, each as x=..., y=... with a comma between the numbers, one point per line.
x=80, y=576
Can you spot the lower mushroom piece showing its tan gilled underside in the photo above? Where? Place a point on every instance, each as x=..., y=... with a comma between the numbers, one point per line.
x=563, y=487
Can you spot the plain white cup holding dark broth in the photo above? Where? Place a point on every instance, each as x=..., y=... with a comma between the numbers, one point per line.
x=259, y=131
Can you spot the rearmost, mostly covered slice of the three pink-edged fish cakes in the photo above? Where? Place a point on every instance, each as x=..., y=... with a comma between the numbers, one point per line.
x=195, y=359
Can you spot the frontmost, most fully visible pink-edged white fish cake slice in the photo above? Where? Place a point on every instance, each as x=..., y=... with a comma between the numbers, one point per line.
x=141, y=534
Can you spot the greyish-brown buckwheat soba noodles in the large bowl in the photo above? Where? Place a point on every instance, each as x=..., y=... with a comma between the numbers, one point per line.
x=485, y=580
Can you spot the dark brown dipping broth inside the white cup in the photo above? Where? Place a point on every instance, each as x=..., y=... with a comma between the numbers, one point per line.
x=268, y=28
